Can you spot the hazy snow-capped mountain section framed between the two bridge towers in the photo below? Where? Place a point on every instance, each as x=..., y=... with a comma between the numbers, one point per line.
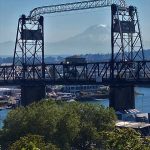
x=94, y=39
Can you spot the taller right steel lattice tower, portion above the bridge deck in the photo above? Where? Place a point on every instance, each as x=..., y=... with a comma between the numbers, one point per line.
x=126, y=40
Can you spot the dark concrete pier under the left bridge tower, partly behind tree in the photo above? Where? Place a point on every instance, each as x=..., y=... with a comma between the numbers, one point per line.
x=32, y=93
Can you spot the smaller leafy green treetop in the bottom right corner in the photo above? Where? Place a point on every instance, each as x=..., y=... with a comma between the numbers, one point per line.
x=124, y=139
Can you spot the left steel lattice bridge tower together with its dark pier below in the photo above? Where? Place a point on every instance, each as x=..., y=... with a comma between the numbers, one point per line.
x=28, y=61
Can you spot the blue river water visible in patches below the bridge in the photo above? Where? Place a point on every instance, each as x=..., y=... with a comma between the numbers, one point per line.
x=142, y=102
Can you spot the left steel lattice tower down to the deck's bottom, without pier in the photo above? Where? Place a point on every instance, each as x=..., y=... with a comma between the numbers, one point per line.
x=29, y=48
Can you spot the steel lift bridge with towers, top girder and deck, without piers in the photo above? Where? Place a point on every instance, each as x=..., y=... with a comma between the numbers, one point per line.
x=127, y=63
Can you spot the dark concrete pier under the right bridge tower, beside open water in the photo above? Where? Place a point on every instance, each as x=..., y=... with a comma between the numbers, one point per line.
x=121, y=97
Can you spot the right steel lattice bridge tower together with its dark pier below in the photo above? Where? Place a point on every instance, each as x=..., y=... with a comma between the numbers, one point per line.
x=126, y=45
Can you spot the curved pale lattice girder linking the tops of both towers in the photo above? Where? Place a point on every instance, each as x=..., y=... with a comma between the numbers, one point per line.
x=81, y=5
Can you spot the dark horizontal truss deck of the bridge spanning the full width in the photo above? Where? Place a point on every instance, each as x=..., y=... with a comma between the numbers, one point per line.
x=104, y=73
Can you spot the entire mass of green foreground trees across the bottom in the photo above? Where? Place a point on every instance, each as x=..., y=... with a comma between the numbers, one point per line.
x=66, y=126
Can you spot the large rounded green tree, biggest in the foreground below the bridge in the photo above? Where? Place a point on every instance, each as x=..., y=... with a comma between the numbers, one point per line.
x=64, y=124
